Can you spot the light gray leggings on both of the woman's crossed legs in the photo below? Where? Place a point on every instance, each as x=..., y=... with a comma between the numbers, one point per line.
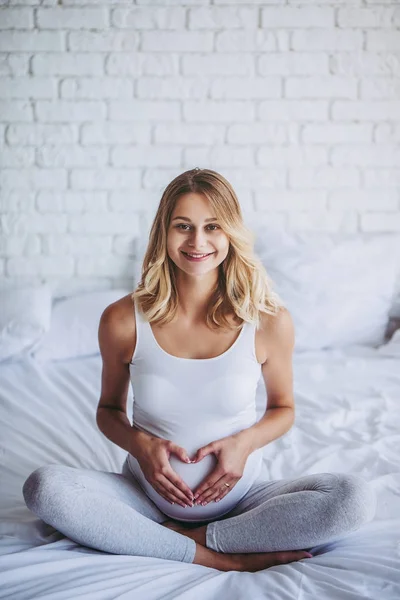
x=111, y=513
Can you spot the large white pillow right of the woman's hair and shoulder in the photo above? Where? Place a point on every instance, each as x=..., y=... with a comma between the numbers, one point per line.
x=338, y=288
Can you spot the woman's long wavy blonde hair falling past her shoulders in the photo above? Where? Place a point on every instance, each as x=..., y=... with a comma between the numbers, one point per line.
x=244, y=287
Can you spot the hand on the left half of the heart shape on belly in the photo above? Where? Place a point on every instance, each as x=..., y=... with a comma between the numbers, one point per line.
x=152, y=454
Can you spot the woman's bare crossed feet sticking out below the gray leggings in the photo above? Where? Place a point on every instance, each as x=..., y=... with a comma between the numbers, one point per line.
x=255, y=561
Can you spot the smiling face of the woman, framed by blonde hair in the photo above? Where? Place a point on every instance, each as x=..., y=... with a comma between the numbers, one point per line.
x=192, y=234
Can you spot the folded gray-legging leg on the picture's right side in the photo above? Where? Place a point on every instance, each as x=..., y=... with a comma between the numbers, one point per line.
x=291, y=514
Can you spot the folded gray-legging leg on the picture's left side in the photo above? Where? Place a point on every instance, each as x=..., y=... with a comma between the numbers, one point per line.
x=106, y=511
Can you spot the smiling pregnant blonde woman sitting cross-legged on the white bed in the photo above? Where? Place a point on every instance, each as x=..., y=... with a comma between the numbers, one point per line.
x=194, y=338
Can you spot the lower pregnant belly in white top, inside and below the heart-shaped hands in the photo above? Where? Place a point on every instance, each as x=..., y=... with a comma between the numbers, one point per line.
x=193, y=475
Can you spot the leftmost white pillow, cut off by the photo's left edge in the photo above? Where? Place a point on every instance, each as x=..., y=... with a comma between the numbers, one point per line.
x=24, y=319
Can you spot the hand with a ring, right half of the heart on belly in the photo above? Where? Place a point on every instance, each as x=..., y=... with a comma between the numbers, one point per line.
x=232, y=453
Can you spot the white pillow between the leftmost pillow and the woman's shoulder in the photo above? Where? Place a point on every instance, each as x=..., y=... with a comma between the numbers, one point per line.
x=74, y=325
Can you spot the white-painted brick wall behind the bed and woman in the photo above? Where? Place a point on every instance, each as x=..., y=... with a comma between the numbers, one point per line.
x=102, y=103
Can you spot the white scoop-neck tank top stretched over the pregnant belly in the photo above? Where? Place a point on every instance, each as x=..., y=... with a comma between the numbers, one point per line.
x=193, y=402
